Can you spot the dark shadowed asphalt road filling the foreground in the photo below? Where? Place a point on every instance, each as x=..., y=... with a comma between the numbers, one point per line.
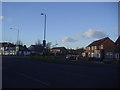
x=19, y=72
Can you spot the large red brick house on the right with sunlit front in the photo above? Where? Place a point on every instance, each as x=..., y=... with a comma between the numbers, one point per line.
x=103, y=48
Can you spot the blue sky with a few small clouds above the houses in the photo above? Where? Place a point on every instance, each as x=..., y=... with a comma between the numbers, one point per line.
x=69, y=24
